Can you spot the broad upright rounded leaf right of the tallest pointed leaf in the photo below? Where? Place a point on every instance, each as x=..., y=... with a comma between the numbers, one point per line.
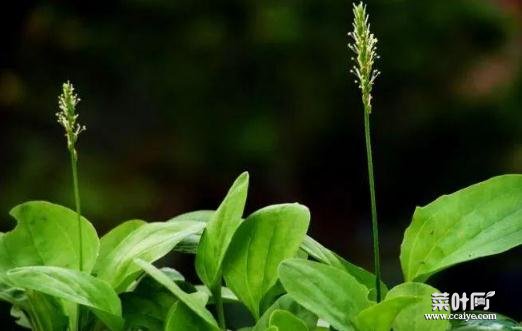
x=263, y=240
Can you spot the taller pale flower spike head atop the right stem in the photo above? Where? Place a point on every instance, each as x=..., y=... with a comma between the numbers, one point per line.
x=364, y=46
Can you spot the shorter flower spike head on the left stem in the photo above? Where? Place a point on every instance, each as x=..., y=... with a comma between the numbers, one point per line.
x=67, y=116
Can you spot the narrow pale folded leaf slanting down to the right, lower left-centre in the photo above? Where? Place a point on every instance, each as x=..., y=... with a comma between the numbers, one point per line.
x=191, y=302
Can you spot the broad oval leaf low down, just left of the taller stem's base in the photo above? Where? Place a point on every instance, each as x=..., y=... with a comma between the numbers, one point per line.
x=329, y=292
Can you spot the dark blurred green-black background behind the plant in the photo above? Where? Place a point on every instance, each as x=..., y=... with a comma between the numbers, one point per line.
x=181, y=96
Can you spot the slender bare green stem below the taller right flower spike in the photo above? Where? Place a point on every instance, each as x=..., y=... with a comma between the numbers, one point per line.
x=375, y=228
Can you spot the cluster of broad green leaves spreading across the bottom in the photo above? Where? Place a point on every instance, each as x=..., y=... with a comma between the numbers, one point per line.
x=275, y=275
